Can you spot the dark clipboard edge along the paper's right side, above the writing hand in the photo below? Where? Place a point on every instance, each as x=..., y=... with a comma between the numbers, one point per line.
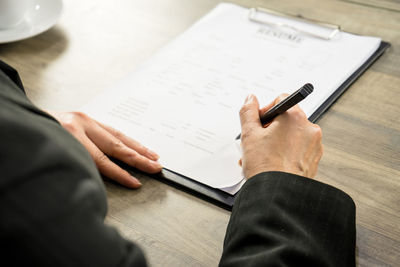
x=344, y=86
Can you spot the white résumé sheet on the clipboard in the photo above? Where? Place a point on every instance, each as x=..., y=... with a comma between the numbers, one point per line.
x=183, y=103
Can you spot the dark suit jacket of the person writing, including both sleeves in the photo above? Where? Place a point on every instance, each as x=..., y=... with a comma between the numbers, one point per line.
x=53, y=204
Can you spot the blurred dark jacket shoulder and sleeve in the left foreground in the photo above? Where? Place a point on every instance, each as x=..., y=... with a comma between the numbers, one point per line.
x=52, y=199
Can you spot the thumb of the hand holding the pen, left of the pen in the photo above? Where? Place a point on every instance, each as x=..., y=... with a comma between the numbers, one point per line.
x=249, y=114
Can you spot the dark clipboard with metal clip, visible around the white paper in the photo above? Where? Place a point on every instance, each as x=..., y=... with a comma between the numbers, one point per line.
x=226, y=200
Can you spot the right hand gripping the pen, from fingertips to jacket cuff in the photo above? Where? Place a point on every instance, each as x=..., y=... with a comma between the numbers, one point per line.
x=290, y=143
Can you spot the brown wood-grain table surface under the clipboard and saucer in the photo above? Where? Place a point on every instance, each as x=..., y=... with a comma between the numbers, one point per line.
x=96, y=43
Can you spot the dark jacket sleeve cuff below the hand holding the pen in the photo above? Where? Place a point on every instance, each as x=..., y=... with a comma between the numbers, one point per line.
x=281, y=219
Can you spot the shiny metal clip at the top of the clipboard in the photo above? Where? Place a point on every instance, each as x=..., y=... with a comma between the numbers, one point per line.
x=311, y=27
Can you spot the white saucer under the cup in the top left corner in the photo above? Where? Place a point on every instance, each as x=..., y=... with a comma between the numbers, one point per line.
x=41, y=16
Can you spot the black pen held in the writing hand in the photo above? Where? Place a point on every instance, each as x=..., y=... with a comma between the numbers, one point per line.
x=285, y=104
